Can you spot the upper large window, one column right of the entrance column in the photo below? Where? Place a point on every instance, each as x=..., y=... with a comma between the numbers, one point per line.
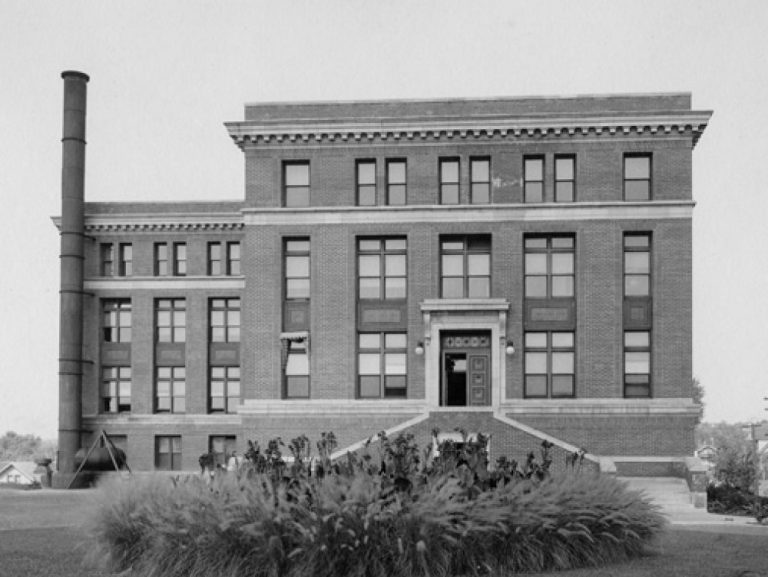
x=549, y=266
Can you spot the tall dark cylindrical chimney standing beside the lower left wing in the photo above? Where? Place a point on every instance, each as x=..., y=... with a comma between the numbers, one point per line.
x=71, y=262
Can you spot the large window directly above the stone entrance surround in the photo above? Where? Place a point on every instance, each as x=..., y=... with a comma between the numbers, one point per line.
x=465, y=266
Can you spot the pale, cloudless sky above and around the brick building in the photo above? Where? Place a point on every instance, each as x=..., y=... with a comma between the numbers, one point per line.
x=165, y=75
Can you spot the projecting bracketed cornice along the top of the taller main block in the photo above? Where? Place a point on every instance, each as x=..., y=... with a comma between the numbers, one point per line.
x=253, y=133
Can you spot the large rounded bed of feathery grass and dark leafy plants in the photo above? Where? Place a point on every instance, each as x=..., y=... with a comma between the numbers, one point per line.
x=402, y=512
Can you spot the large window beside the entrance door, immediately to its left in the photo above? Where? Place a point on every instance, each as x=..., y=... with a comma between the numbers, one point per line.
x=382, y=365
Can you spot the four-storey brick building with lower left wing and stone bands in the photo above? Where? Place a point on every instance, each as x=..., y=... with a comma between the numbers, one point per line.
x=519, y=267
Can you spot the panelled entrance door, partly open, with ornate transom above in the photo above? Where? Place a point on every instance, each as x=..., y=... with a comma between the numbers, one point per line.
x=466, y=374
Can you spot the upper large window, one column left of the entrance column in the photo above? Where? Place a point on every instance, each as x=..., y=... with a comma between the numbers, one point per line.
x=381, y=268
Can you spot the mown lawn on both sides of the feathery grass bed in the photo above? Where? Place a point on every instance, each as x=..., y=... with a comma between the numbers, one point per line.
x=40, y=537
